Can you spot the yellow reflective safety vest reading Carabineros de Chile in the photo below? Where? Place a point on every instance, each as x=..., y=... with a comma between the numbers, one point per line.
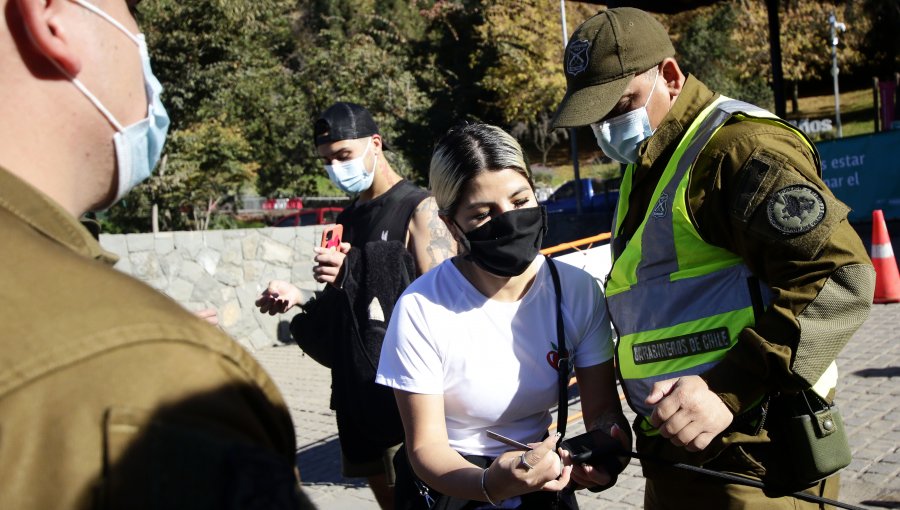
x=677, y=302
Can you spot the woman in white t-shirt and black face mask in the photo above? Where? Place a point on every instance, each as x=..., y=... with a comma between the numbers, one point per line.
x=472, y=345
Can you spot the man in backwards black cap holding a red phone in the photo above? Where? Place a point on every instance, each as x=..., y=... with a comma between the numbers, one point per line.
x=386, y=208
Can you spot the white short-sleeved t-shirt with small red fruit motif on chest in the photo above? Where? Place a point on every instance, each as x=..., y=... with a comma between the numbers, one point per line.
x=490, y=359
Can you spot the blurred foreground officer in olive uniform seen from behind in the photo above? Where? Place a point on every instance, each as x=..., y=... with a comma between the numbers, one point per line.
x=111, y=395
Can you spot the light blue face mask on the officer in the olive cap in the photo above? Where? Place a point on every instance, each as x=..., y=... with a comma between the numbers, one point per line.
x=621, y=136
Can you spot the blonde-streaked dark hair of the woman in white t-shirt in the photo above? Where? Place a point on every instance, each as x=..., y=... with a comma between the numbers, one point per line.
x=466, y=151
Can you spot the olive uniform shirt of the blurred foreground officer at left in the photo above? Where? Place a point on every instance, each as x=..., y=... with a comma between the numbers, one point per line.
x=111, y=394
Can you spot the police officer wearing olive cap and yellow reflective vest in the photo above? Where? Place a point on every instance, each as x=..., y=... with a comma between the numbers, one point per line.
x=736, y=275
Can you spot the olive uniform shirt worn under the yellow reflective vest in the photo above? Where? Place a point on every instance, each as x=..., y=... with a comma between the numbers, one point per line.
x=822, y=280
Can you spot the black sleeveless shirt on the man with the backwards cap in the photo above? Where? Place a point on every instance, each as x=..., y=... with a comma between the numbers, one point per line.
x=385, y=218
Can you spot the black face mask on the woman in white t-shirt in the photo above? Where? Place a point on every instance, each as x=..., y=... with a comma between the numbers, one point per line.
x=506, y=245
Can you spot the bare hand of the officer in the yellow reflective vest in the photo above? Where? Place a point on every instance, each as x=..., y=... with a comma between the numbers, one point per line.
x=687, y=412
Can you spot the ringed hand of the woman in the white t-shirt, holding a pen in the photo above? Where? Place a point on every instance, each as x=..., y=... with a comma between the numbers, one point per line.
x=518, y=472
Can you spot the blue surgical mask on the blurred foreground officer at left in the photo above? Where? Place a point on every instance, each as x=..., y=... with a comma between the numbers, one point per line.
x=138, y=146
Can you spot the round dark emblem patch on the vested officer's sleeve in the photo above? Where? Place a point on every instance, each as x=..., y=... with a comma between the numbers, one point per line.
x=795, y=209
